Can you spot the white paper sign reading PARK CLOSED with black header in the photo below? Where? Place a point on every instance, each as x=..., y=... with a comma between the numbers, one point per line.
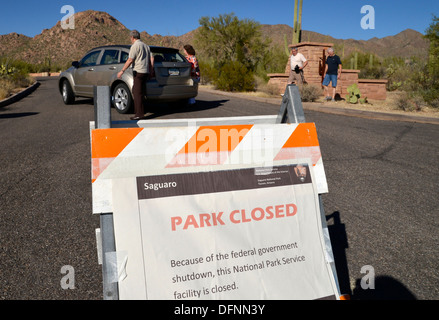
x=247, y=233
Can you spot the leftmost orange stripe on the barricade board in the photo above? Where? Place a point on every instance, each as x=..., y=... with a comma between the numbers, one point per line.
x=109, y=143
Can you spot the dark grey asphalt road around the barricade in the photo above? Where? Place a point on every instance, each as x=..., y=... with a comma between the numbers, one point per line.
x=382, y=206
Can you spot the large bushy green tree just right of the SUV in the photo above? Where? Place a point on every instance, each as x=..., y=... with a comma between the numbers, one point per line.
x=231, y=50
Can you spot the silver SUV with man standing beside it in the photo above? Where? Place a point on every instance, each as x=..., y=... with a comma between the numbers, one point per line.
x=171, y=80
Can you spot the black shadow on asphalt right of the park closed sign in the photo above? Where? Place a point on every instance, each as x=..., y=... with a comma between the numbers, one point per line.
x=385, y=287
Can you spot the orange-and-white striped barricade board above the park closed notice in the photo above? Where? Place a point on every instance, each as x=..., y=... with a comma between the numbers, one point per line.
x=131, y=152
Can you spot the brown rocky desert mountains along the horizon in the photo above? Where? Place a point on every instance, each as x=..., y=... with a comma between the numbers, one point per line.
x=95, y=28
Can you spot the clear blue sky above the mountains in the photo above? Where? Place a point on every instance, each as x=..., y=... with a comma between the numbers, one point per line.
x=338, y=18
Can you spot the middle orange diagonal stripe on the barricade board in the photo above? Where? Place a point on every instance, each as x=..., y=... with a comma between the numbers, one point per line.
x=216, y=139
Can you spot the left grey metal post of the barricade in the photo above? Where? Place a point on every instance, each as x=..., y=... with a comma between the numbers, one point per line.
x=102, y=103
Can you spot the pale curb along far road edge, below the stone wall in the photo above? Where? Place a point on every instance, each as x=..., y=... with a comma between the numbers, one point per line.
x=334, y=110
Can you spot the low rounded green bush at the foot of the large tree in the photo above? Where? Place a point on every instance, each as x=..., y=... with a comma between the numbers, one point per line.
x=234, y=76
